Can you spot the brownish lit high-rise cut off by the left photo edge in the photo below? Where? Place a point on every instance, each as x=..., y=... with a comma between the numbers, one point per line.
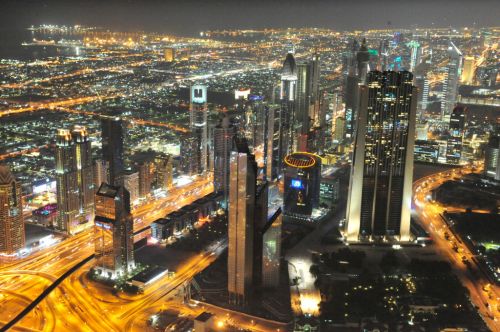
x=12, y=237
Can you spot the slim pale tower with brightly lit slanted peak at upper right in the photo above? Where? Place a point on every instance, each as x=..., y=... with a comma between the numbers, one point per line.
x=450, y=84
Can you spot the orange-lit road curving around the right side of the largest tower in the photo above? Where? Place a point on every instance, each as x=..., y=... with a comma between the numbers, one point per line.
x=429, y=213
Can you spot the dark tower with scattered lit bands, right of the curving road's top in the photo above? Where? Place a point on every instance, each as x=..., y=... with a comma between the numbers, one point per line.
x=456, y=135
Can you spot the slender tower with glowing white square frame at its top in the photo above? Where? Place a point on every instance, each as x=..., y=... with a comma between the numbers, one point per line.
x=199, y=123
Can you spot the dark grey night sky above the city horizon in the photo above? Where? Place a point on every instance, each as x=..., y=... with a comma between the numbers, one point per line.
x=187, y=17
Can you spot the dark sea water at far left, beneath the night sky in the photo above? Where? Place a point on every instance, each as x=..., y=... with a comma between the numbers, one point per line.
x=11, y=45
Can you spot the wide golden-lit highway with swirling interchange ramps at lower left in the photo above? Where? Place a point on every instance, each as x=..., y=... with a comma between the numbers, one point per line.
x=22, y=281
